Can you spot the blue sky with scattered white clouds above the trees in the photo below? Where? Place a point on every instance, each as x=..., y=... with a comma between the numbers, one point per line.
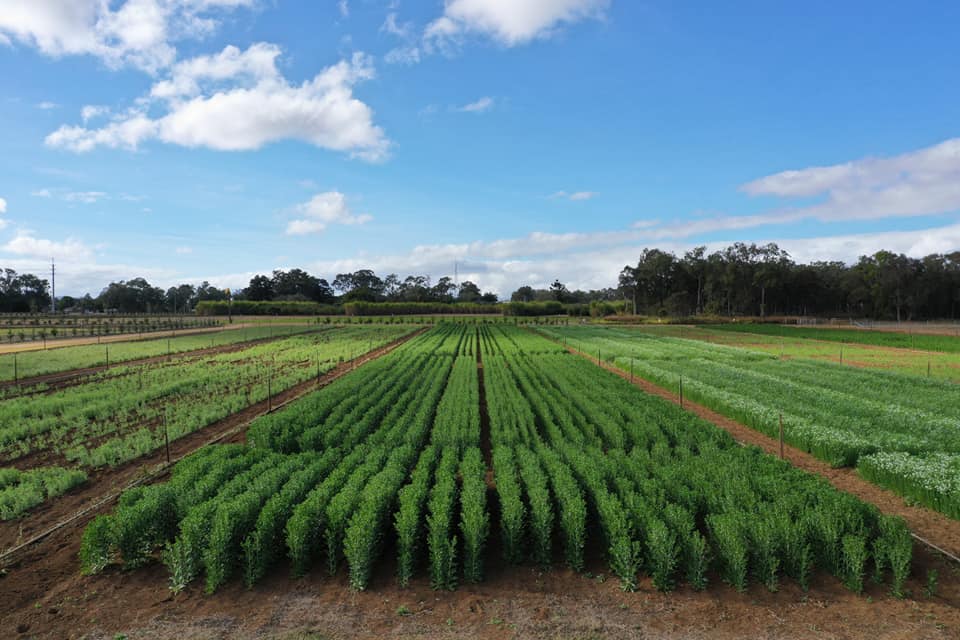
x=526, y=140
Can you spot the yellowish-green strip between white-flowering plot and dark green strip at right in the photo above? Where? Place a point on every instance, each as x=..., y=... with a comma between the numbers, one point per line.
x=942, y=365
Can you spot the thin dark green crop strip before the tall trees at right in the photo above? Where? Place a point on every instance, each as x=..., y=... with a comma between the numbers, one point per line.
x=899, y=339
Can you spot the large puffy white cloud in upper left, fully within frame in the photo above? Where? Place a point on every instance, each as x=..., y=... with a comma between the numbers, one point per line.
x=238, y=100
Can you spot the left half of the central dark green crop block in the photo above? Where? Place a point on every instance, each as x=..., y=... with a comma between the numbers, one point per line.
x=323, y=500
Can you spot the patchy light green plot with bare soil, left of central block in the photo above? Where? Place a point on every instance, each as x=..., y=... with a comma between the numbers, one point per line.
x=128, y=411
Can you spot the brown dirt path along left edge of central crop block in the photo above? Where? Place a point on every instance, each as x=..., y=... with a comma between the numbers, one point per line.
x=104, y=484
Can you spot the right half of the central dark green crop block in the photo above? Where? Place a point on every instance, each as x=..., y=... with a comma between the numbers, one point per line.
x=672, y=496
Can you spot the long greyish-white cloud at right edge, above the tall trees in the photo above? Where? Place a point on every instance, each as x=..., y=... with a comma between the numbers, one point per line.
x=918, y=183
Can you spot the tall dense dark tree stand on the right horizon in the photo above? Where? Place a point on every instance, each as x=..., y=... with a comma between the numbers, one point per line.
x=763, y=280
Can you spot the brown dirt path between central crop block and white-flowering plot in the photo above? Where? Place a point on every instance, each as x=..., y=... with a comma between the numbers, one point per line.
x=931, y=525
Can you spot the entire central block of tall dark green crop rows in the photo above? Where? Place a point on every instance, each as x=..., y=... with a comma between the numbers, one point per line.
x=396, y=458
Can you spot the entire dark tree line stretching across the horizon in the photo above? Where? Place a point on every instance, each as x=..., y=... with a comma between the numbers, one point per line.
x=739, y=280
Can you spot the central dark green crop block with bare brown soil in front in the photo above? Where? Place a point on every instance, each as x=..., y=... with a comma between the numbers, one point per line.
x=471, y=478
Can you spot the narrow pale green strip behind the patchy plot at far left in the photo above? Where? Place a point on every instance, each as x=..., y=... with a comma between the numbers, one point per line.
x=28, y=364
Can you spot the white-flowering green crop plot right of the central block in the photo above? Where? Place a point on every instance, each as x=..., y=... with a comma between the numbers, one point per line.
x=845, y=416
